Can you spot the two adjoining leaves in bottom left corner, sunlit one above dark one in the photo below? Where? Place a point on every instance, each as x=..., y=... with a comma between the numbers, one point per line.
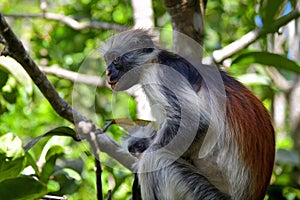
x=12, y=163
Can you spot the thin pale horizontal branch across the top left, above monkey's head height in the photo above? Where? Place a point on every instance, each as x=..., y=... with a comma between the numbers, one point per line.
x=69, y=21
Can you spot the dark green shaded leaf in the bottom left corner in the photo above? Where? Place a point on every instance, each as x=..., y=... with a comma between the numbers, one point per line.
x=22, y=188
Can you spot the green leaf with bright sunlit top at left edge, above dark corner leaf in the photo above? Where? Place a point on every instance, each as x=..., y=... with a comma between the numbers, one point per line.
x=12, y=159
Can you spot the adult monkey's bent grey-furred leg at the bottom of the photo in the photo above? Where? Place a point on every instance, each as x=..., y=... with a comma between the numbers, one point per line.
x=164, y=177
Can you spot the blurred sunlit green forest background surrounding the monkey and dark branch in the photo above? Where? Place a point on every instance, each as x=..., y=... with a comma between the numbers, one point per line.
x=63, y=38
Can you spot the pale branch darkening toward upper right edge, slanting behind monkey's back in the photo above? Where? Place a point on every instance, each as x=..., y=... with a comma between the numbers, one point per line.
x=220, y=55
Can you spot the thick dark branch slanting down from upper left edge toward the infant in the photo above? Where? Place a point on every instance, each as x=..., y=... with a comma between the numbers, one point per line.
x=17, y=51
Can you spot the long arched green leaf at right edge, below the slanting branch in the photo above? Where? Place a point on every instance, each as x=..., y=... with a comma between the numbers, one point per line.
x=266, y=58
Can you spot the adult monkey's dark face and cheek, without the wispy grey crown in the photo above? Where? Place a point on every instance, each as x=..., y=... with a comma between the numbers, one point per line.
x=124, y=70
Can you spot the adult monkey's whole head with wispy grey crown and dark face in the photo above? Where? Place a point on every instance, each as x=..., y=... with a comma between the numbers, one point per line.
x=125, y=54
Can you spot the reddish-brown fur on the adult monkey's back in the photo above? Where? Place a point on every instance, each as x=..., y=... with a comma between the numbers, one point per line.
x=253, y=130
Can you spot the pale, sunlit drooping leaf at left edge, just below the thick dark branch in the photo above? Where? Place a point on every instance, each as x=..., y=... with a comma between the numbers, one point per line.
x=13, y=67
